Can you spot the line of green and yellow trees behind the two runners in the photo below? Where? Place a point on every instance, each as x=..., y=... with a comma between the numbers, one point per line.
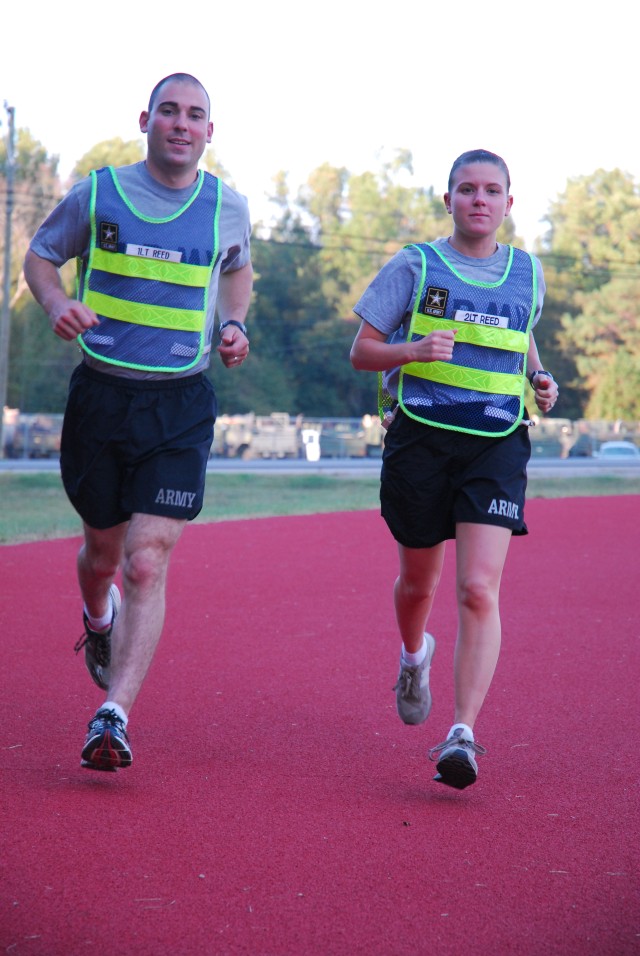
x=315, y=257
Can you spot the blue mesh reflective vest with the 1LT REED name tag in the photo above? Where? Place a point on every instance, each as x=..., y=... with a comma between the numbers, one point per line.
x=148, y=279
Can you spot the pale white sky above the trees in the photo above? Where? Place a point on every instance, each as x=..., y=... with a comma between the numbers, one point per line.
x=551, y=86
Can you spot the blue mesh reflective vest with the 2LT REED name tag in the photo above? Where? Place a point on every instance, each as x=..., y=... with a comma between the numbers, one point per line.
x=481, y=389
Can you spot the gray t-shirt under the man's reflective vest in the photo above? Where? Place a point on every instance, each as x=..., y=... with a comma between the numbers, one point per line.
x=66, y=233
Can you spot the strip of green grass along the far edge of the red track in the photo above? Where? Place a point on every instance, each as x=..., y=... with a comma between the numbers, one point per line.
x=34, y=507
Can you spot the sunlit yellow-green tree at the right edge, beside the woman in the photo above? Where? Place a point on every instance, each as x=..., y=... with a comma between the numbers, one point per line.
x=594, y=259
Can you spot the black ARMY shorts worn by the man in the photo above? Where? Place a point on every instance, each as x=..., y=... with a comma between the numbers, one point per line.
x=132, y=446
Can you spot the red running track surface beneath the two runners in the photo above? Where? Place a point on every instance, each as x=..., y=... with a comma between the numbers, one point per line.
x=276, y=805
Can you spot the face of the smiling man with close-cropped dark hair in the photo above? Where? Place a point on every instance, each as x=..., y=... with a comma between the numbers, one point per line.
x=178, y=127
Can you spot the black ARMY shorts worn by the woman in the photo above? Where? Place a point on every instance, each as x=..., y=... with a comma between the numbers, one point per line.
x=433, y=478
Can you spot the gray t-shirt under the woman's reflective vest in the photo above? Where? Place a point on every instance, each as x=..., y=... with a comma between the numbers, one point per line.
x=387, y=303
